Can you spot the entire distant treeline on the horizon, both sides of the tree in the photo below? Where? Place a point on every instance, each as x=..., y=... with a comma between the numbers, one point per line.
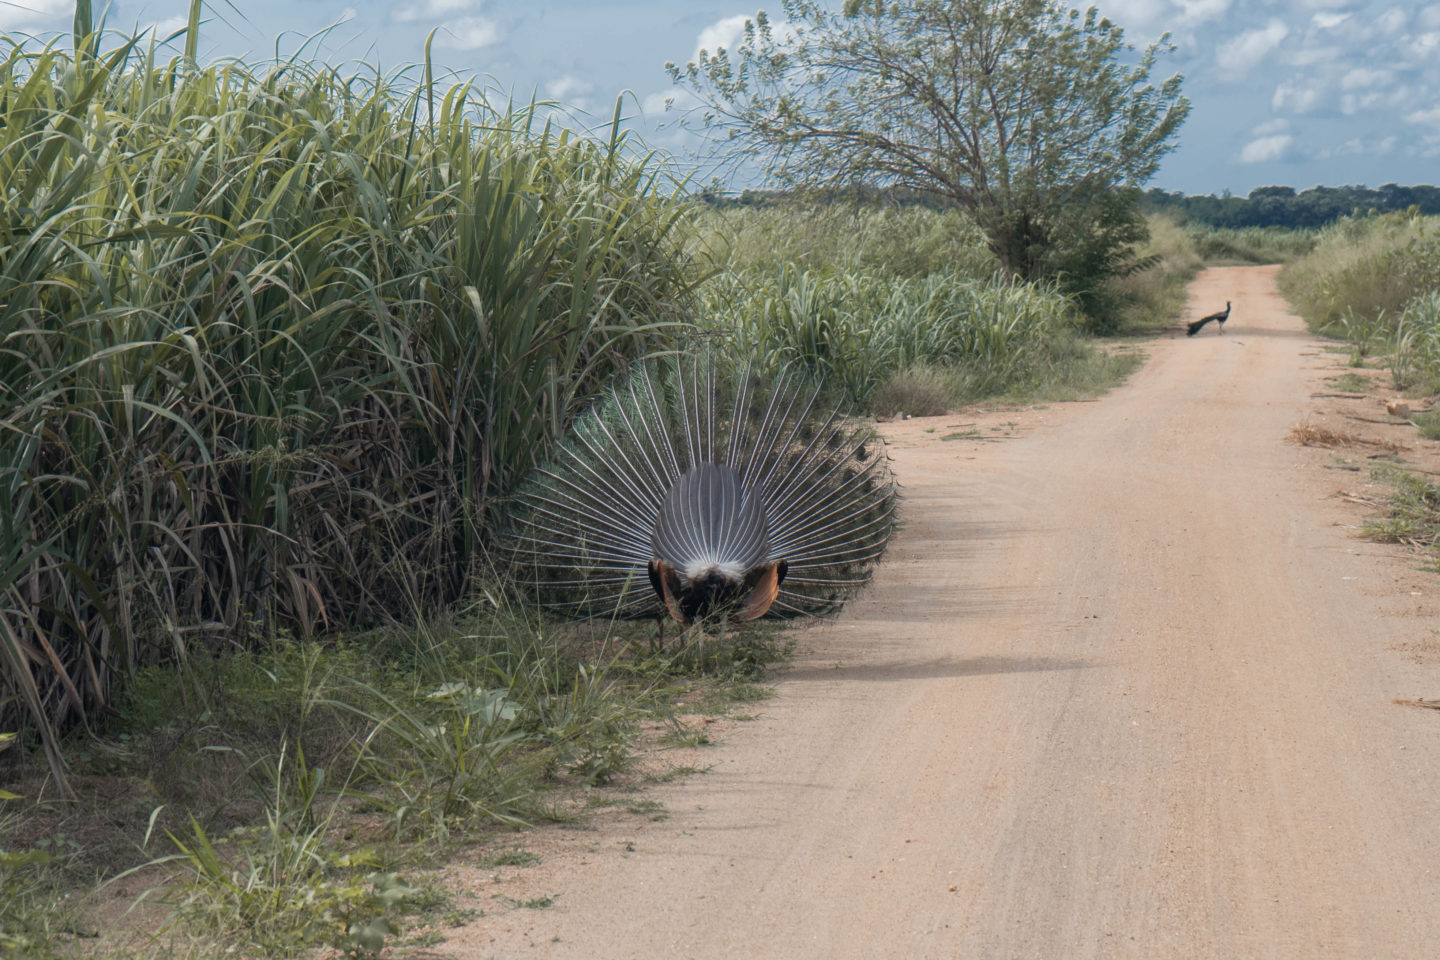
x=1265, y=207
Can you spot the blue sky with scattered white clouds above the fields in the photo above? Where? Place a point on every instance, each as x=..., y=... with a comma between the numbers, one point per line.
x=1298, y=93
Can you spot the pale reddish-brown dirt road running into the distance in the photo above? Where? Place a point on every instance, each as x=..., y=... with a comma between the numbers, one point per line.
x=1122, y=690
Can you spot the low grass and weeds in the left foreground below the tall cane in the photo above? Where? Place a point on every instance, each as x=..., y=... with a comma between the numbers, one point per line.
x=305, y=794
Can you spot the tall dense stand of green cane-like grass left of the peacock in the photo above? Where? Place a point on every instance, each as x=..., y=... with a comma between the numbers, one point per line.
x=273, y=342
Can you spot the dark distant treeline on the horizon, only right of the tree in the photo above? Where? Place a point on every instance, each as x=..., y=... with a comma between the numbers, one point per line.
x=1287, y=208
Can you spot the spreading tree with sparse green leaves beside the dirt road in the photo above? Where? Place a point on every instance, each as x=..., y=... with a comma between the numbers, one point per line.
x=1020, y=112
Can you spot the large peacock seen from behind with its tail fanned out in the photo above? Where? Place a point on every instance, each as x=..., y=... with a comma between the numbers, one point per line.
x=686, y=494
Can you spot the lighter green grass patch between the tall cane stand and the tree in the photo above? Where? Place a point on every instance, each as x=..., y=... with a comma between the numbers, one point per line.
x=895, y=309
